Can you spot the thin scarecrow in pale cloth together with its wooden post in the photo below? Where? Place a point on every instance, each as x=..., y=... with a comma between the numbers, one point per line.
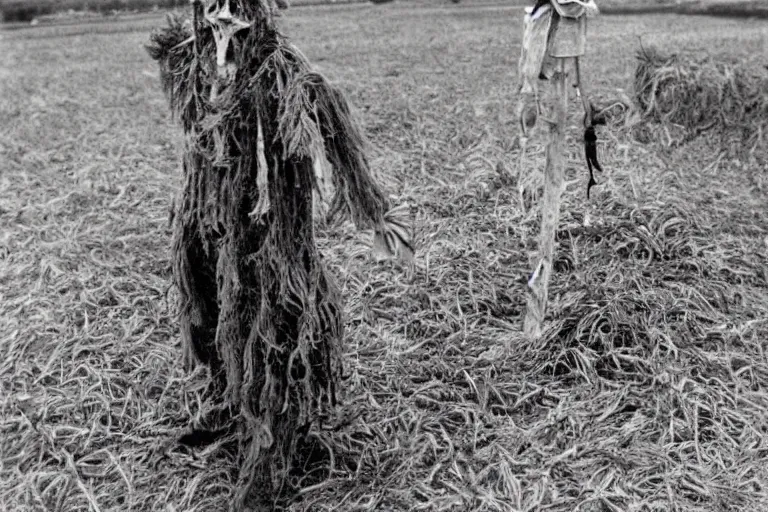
x=554, y=34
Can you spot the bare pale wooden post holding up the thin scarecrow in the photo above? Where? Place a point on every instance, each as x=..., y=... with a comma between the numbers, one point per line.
x=538, y=282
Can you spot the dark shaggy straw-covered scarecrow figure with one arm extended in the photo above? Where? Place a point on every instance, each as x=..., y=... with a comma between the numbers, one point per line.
x=256, y=305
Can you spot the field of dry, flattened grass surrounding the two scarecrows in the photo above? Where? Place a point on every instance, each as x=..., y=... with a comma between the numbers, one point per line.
x=648, y=392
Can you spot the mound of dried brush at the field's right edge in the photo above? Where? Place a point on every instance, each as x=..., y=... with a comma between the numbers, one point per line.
x=700, y=94
